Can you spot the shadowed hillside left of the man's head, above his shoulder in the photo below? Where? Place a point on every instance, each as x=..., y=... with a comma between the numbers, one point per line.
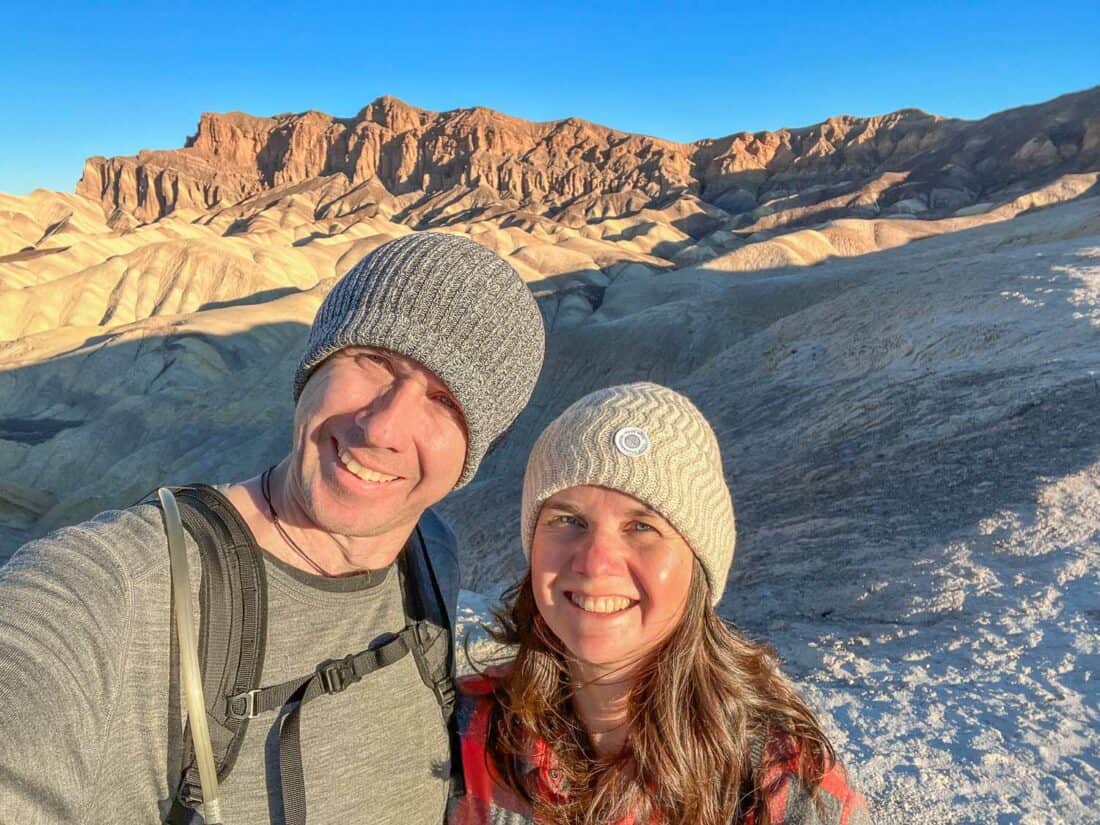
x=98, y=427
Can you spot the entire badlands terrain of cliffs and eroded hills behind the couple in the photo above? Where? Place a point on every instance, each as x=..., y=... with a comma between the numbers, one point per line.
x=894, y=324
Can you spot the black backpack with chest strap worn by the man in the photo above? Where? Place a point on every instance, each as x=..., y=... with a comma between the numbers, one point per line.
x=233, y=631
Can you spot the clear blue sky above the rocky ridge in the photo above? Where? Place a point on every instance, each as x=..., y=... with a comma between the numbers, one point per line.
x=112, y=79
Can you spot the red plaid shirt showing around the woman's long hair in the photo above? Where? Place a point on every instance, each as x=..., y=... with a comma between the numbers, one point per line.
x=489, y=802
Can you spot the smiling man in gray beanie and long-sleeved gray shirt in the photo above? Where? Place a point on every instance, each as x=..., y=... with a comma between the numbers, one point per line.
x=417, y=361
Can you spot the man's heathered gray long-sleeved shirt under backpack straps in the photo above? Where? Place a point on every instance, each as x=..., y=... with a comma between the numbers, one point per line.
x=85, y=700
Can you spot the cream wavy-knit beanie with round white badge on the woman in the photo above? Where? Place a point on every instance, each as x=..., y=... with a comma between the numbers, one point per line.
x=652, y=444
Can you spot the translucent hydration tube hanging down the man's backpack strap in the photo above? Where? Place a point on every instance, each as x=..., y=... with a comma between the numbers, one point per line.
x=190, y=658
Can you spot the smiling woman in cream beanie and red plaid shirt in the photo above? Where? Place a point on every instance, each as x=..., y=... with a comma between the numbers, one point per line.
x=630, y=701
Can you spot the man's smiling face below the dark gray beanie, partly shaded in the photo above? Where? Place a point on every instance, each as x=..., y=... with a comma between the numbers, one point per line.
x=378, y=439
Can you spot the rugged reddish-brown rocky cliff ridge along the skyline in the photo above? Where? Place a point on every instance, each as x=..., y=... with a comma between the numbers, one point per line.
x=575, y=172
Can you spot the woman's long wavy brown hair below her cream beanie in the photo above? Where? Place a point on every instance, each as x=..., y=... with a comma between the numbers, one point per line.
x=702, y=707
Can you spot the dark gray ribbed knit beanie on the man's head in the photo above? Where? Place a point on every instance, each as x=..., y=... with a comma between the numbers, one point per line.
x=457, y=309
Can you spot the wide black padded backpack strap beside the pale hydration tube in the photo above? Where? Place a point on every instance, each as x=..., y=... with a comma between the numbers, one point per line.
x=233, y=629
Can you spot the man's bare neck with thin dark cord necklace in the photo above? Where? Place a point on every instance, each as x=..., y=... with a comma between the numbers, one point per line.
x=302, y=544
